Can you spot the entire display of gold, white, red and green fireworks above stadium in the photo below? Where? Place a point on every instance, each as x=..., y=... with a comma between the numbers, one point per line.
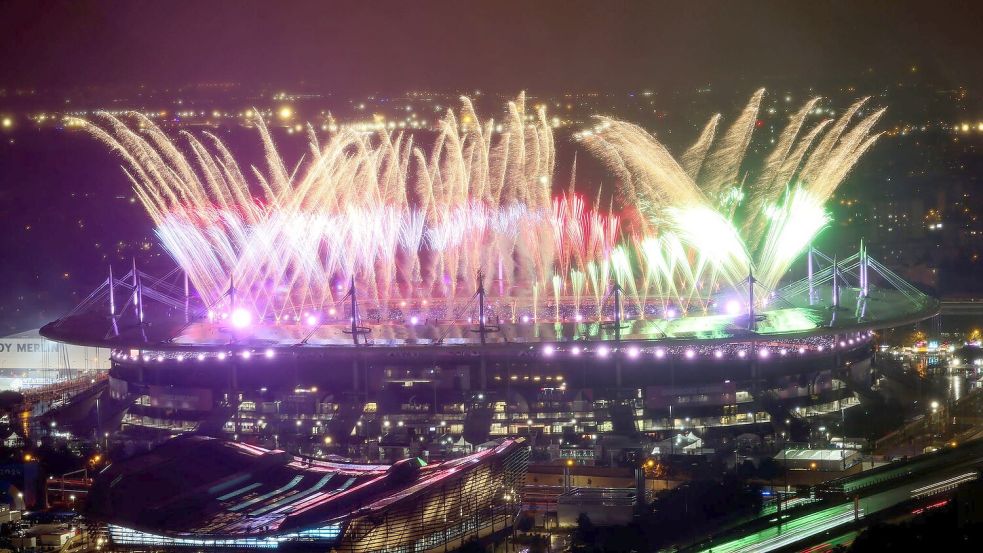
x=416, y=224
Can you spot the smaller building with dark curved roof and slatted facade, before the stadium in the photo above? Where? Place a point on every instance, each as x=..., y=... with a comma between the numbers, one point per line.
x=207, y=494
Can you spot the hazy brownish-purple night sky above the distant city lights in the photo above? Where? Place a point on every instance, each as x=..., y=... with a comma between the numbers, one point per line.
x=356, y=47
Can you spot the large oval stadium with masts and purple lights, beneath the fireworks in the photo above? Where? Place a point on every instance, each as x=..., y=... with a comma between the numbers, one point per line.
x=393, y=381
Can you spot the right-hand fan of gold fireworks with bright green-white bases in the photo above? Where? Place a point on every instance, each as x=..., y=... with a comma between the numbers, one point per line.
x=737, y=223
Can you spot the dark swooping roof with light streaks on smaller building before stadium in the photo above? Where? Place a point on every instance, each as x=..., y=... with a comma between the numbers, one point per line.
x=195, y=487
